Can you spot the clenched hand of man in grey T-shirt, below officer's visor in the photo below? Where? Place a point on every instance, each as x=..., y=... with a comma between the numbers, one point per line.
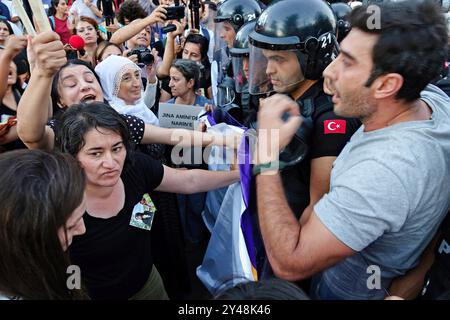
x=273, y=132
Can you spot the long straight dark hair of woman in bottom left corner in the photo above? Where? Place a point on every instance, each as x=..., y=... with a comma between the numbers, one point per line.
x=41, y=191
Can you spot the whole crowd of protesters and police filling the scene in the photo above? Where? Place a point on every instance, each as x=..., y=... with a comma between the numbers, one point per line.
x=357, y=178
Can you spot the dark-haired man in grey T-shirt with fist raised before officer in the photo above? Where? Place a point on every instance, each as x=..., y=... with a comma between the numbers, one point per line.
x=390, y=186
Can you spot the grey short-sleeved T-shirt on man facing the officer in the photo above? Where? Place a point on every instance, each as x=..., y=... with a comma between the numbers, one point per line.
x=389, y=191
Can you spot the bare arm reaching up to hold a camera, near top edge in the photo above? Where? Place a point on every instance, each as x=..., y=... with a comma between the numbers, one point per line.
x=129, y=31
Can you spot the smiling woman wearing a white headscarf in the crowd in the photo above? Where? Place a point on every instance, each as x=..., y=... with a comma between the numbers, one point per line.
x=122, y=88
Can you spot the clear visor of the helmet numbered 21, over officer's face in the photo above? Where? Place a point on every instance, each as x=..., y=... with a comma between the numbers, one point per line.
x=274, y=70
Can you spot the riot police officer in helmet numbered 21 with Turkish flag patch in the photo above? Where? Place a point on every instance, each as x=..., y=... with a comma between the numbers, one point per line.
x=292, y=43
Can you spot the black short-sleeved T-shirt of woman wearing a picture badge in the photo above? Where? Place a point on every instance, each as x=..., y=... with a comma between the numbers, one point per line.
x=115, y=257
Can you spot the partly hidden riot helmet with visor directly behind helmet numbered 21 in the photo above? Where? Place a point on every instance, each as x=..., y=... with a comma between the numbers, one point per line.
x=240, y=56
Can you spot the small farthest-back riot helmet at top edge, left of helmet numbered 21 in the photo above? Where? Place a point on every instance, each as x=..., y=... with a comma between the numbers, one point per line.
x=237, y=12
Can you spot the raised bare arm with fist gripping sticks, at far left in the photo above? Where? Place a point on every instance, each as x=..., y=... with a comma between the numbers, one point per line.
x=32, y=112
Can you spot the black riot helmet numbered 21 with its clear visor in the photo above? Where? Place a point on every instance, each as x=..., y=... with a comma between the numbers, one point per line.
x=305, y=28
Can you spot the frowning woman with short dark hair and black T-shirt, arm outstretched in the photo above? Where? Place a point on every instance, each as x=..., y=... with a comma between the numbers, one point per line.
x=115, y=253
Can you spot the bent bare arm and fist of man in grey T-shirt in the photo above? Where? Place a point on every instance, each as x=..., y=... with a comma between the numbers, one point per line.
x=295, y=251
